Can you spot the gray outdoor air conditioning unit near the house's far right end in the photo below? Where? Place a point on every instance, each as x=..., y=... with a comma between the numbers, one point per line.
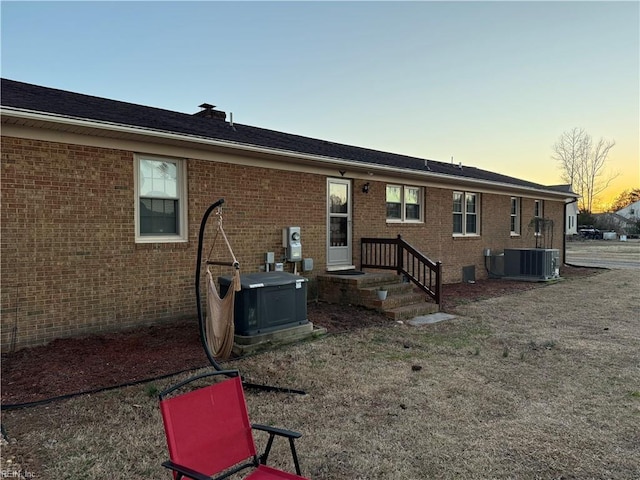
x=535, y=263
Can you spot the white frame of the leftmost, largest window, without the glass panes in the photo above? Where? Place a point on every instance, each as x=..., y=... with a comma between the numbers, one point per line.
x=181, y=195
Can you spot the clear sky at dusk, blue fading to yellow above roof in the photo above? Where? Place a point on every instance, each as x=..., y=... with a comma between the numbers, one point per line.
x=493, y=84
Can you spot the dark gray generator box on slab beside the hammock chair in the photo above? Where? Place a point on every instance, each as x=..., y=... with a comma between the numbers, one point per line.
x=268, y=301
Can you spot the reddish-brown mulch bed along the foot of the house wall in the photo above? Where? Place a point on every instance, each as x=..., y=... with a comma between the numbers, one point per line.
x=74, y=365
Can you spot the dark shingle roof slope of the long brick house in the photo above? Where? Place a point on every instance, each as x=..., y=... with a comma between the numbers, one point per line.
x=26, y=96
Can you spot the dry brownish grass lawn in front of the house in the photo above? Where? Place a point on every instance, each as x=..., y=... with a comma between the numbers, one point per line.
x=540, y=384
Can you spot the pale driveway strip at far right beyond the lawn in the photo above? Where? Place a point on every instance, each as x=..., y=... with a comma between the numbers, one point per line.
x=604, y=253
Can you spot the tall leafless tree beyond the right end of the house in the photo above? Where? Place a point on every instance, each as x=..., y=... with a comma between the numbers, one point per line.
x=583, y=164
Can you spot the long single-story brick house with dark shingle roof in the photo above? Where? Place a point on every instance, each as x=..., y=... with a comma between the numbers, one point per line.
x=102, y=201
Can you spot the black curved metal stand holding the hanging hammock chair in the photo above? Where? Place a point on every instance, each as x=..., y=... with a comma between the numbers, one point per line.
x=201, y=321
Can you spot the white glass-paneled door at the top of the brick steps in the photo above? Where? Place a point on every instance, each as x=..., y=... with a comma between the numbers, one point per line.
x=338, y=223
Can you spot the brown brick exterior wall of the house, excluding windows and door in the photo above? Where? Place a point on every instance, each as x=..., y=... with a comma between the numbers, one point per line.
x=70, y=264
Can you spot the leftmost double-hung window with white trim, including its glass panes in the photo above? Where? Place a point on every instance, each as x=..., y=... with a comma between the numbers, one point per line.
x=161, y=206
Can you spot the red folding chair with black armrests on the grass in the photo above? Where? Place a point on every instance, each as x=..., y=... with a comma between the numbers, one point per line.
x=209, y=436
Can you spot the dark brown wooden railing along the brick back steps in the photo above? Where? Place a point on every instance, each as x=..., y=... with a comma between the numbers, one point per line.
x=396, y=254
